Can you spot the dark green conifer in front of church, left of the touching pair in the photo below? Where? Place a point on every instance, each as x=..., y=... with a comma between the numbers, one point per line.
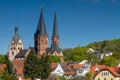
x=31, y=66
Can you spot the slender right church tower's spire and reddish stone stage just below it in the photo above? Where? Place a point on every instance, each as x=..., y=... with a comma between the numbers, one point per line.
x=55, y=35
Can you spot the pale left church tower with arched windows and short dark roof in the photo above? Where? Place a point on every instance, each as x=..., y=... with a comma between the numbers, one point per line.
x=15, y=45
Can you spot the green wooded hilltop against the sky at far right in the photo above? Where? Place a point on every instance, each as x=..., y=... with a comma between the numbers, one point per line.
x=107, y=45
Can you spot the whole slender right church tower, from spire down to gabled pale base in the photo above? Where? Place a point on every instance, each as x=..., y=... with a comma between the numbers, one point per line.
x=55, y=49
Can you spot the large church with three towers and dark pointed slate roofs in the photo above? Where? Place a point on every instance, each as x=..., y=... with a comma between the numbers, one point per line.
x=16, y=47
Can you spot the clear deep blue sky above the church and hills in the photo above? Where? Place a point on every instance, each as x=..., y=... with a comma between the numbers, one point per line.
x=80, y=22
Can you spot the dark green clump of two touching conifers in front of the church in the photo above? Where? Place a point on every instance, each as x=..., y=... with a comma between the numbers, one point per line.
x=35, y=67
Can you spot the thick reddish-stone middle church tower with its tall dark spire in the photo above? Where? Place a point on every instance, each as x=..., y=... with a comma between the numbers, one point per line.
x=41, y=36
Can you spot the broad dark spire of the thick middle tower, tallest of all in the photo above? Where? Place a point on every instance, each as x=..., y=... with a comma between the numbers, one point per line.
x=41, y=29
